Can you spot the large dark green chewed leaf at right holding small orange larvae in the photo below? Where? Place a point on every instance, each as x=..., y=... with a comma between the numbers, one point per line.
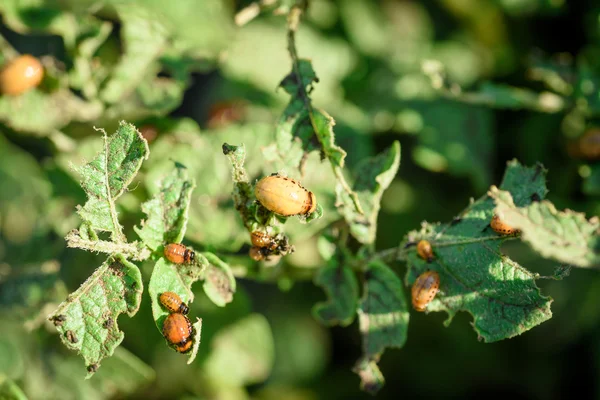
x=474, y=275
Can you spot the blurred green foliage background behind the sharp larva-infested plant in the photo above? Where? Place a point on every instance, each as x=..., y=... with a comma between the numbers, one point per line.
x=465, y=85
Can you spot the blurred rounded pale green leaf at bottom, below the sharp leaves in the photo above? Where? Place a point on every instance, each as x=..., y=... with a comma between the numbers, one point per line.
x=242, y=353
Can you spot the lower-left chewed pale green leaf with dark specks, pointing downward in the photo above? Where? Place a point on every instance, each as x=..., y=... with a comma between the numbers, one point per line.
x=87, y=320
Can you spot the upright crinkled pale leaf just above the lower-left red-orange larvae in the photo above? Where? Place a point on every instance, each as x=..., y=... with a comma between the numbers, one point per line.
x=167, y=211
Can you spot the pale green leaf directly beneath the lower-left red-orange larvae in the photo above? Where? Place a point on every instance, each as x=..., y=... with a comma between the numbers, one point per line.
x=176, y=278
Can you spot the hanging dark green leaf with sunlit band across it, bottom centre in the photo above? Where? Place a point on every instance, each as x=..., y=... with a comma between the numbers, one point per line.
x=382, y=313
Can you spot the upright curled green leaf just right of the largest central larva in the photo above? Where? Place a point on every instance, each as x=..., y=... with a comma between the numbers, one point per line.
x=373, y=176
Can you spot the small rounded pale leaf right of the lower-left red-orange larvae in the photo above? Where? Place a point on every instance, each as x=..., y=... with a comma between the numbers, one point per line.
x=219, y=283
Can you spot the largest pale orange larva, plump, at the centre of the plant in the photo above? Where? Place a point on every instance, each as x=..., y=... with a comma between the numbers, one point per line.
x=284, y=196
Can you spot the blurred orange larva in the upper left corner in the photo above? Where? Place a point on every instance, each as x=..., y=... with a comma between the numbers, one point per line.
x=21, y=74
